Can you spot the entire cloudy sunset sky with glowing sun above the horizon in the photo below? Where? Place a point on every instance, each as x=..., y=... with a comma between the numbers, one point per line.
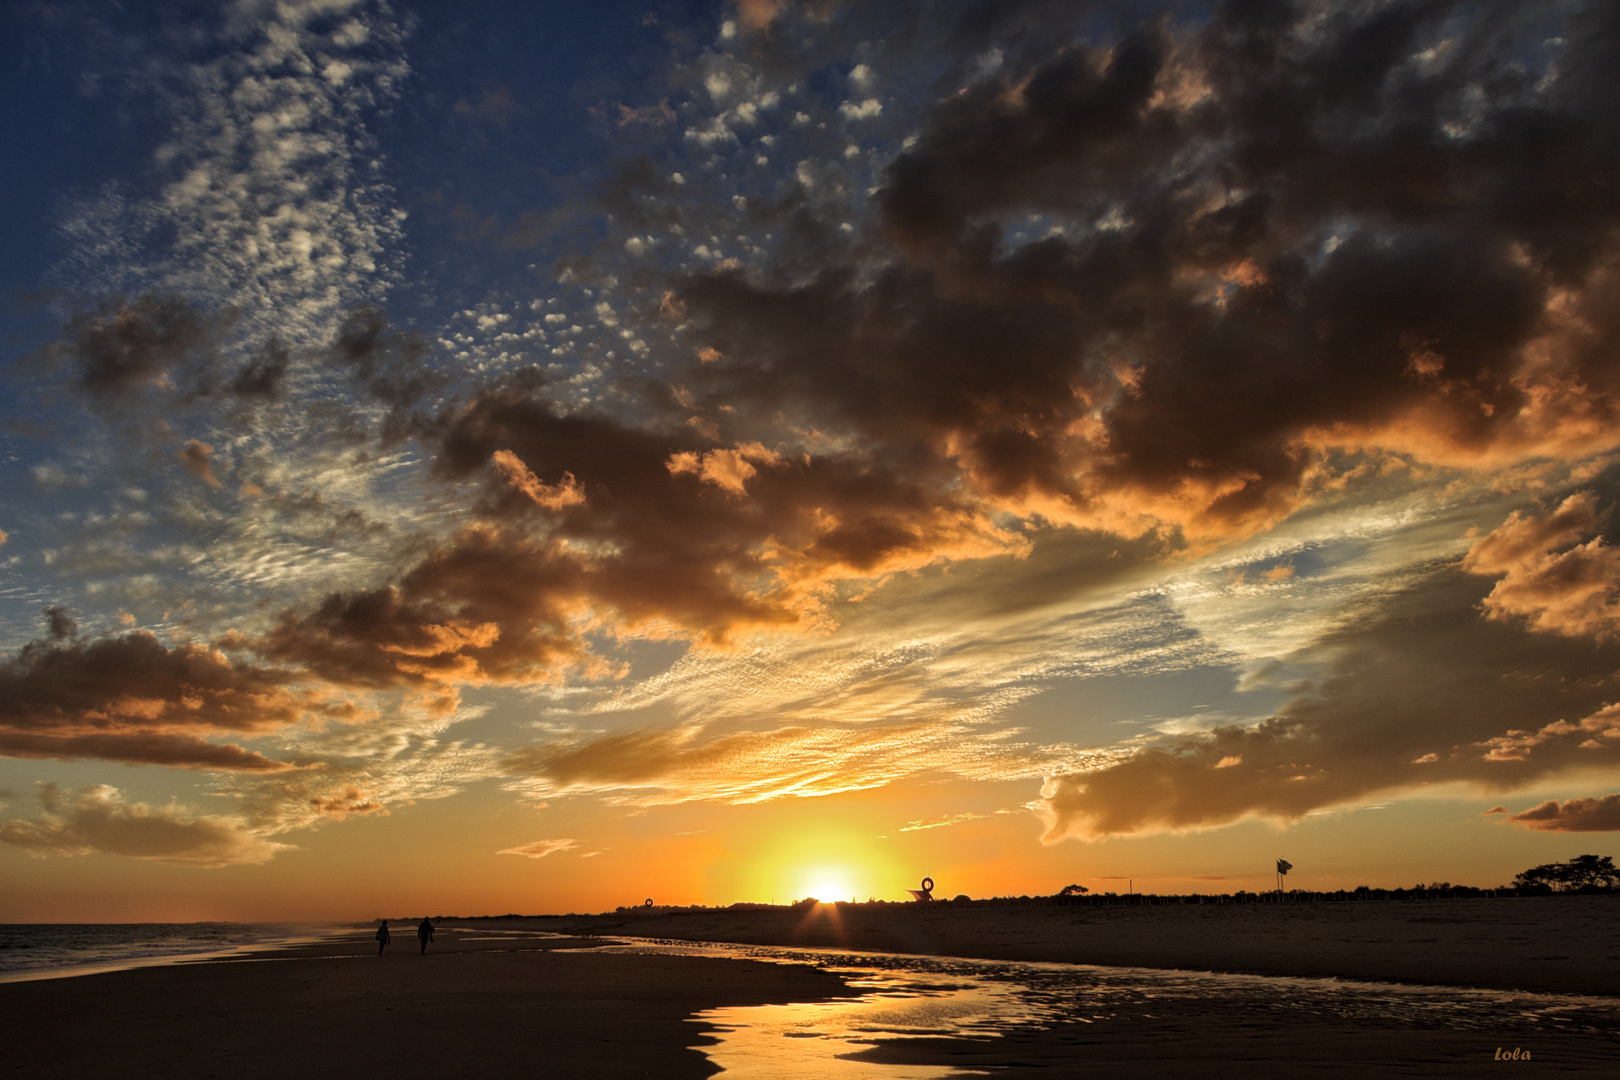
x=537, y=457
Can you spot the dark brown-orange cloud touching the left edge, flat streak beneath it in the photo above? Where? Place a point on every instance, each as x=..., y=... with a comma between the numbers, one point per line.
x=137, y=700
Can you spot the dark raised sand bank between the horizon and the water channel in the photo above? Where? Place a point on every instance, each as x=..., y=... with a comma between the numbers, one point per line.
x=1545, y=945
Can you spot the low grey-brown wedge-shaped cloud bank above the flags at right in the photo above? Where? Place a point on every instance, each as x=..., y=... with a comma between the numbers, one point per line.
x=1418, y=694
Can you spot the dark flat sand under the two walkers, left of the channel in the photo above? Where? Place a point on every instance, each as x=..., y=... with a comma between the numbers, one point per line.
x=467, y=1010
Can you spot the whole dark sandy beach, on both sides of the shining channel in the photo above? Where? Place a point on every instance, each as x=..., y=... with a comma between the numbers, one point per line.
x=505, y=997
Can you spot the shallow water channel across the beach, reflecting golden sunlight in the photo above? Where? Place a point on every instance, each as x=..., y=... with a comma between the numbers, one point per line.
x=942, y=1001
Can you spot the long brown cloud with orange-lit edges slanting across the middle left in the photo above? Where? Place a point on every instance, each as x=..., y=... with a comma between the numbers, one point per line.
x=505, y=600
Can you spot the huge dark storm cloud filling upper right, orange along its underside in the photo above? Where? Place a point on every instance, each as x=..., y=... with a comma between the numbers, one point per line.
x=1162, y=281
